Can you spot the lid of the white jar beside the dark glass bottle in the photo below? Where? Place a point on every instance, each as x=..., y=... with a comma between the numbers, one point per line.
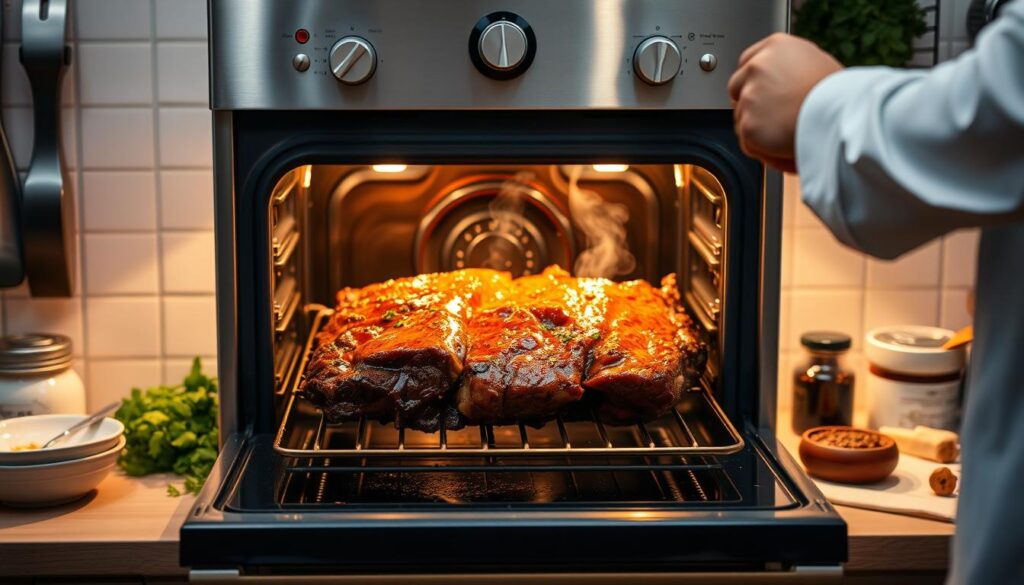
x=913, y=350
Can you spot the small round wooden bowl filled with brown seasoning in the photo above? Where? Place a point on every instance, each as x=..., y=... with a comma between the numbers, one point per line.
x=847, y=454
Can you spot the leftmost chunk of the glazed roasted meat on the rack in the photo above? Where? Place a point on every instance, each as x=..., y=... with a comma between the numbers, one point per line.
x=394, y=351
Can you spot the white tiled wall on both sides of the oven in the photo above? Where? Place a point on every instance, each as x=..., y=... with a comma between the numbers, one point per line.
x=137, y=118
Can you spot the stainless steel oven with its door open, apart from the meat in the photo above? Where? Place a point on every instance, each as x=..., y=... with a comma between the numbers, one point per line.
x=357, y=142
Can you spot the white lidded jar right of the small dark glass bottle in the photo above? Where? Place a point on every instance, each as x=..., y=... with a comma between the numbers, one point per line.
x=913, y=381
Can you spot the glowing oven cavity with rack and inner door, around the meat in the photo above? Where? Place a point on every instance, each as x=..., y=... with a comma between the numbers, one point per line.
x=337, y=226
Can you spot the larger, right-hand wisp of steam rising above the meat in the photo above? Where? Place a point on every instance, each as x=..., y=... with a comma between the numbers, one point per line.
x=604, y=226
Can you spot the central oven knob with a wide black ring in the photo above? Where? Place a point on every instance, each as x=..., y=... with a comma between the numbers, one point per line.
x=502, y=46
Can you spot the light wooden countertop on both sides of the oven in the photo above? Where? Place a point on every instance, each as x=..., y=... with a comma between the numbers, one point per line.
x=131, y=527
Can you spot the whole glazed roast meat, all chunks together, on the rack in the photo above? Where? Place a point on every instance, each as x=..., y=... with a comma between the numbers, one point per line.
x=507, y=351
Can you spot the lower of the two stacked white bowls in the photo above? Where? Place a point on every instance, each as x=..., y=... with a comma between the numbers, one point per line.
x=52, y=484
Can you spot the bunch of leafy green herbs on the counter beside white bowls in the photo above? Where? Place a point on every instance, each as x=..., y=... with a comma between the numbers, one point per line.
x=173, y=429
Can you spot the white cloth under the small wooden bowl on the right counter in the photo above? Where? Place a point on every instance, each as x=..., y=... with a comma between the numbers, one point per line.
x=906, y=492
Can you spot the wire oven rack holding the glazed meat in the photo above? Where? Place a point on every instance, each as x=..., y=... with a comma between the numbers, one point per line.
x=697, y=427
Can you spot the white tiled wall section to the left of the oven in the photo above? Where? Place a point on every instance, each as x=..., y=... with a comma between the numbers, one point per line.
x=137, y=116
